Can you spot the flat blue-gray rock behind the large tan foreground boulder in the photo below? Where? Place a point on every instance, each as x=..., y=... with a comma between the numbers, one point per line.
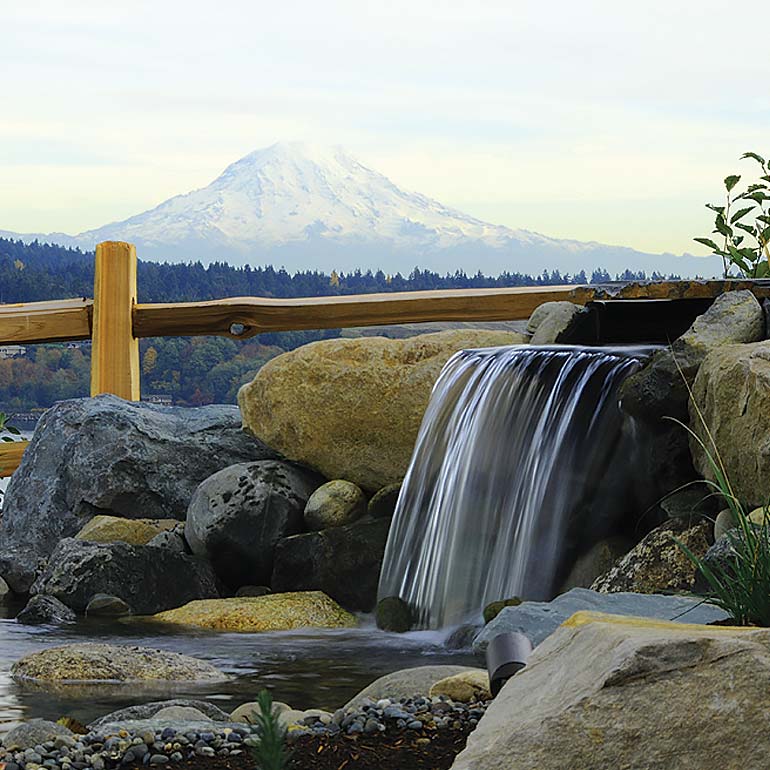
x=538, y=620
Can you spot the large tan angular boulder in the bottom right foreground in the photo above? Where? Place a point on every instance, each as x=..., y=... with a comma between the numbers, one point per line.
x=608, y=692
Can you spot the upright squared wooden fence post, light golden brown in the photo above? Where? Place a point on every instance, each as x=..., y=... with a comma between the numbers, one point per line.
x=115, y=350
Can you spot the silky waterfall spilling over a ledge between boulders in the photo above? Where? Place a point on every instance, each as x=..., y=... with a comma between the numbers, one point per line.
x=523, y=458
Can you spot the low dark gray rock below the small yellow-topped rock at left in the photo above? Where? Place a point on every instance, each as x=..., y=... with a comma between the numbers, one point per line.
x=149, y=579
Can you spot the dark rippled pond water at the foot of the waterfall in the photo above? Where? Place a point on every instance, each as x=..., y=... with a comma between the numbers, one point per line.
x=310, y=668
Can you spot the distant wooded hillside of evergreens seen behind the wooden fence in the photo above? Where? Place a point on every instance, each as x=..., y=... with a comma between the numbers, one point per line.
x=198, y=370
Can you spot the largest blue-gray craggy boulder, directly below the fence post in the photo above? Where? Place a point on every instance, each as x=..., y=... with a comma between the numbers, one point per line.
x=104, y=455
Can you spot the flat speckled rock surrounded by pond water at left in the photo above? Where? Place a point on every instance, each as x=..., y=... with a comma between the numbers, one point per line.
x=111, y=663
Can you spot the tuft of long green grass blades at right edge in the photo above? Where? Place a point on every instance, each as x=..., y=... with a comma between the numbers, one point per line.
x=740, y=584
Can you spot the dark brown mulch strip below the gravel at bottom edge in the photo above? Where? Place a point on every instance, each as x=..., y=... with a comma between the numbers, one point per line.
x=400, y=750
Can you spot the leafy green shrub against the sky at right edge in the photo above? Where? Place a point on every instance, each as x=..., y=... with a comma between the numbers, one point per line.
x=744, y=224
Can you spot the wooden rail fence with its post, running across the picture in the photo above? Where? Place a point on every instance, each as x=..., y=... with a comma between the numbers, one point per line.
x=115, y=321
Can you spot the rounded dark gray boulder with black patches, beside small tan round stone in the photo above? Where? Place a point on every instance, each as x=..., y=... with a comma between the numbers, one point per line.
x=238, y=515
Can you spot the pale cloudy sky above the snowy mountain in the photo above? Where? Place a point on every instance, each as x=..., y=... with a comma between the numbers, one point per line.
x=608, y=121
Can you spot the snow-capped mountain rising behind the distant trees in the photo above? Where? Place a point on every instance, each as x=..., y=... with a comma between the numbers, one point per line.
x=312, y=207
